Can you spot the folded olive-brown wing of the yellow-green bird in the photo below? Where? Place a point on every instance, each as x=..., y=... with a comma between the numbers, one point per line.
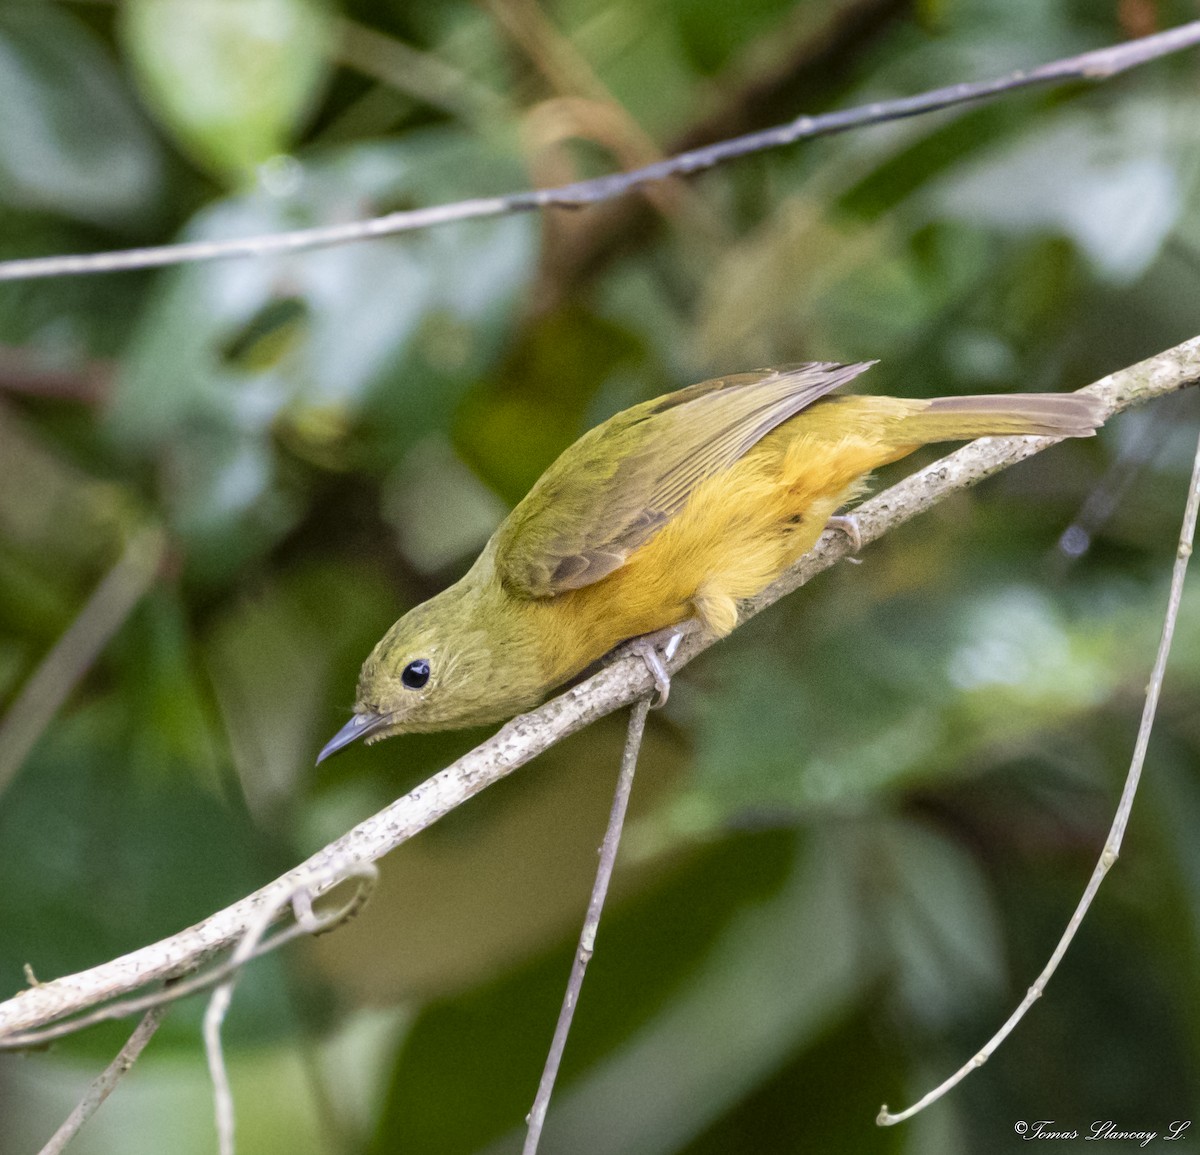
x=623, y=481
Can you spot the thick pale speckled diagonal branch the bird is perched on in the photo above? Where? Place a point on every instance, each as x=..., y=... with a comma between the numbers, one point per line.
x=525, y=738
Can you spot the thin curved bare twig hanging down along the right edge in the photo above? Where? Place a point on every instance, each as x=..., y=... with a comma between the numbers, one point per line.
x=1120, y=822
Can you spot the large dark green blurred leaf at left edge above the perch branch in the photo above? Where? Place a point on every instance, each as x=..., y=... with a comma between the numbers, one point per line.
x=97, y=861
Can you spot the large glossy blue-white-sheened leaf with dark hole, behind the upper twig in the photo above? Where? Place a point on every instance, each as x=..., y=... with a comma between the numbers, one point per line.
x=235, y=357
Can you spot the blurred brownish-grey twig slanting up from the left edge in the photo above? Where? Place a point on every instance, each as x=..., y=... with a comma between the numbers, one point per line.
x=112, y=602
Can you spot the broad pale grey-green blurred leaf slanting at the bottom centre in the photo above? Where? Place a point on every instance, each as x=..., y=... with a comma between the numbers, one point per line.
x=769, y=986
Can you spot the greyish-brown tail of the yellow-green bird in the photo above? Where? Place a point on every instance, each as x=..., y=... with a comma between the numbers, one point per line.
x=1041, y=415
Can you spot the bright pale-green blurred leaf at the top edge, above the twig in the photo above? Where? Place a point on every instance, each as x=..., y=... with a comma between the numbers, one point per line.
x=232, y=80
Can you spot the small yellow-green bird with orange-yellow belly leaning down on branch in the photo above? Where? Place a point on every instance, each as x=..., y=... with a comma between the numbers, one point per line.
x=656, y=523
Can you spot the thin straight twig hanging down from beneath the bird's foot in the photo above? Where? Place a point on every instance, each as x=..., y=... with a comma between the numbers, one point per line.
x=537, y=1117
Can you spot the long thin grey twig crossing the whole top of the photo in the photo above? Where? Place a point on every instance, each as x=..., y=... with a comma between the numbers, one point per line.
x=1097, y=65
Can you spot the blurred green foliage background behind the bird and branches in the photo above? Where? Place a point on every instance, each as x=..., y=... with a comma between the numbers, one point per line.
x=862, y=822
